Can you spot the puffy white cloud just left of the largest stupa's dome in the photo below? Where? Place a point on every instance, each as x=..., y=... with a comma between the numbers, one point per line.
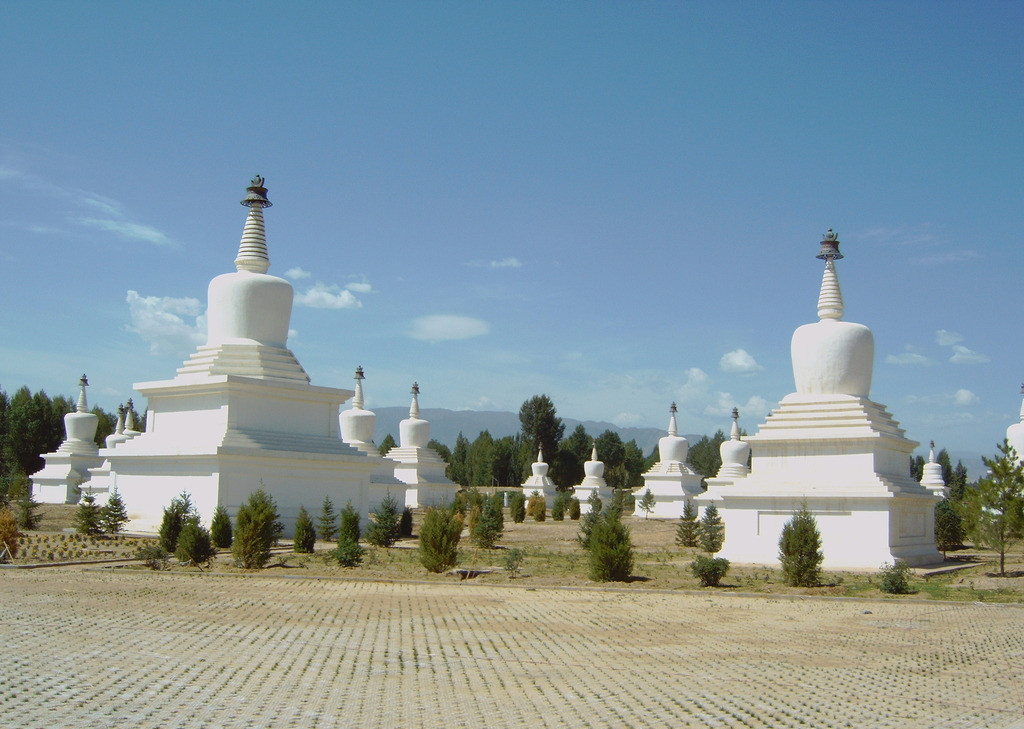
x=172, y=326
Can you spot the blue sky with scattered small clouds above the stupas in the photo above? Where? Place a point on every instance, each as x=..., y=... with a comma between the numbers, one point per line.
x=615, y=204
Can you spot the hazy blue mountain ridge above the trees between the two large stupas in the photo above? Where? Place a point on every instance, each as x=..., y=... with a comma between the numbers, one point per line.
x=446, y=426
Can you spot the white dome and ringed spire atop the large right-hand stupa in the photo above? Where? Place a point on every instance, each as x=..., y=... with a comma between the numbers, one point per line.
x=832, y=357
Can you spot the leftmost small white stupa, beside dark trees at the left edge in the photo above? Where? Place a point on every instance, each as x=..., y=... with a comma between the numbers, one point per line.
x=68, y=467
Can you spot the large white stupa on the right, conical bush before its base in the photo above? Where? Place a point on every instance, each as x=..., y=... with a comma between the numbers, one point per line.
x=829, y=447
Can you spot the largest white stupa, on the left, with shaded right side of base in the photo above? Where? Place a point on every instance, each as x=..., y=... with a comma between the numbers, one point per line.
x=241, y=412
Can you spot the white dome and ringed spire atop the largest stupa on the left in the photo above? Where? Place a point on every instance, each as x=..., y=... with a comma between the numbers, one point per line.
x=250, y=307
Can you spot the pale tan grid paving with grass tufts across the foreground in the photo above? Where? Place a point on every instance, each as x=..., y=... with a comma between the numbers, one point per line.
x=144, y=650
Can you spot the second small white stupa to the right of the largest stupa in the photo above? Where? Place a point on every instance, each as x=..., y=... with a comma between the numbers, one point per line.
x=419, y=467
